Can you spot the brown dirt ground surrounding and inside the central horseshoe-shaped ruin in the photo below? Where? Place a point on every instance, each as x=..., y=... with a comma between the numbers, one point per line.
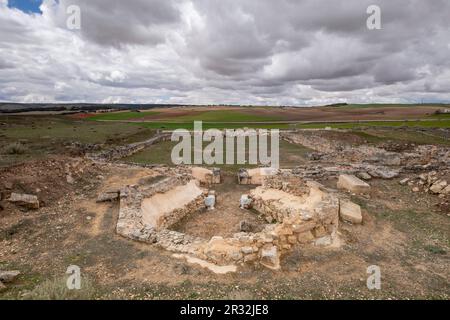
x=408, y=239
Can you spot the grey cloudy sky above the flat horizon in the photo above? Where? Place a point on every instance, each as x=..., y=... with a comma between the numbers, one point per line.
x=264, y=52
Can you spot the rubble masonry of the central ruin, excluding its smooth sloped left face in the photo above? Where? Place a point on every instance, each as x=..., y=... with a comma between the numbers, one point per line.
x=298, y=213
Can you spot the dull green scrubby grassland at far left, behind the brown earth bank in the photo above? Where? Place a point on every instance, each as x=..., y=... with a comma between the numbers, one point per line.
x=36, y=137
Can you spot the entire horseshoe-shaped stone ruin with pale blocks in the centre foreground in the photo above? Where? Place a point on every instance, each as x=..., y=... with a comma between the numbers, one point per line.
x=297, y=212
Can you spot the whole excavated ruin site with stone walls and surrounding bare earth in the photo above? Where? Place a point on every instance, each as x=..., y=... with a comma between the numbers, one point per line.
x=138, y=226
